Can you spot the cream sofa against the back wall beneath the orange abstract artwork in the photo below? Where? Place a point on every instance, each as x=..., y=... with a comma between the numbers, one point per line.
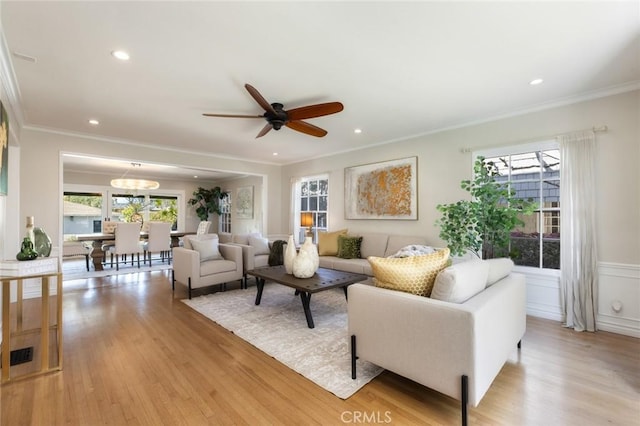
x=373, y=244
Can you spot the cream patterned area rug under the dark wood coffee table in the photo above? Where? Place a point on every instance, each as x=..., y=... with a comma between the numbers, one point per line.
x=278, y=327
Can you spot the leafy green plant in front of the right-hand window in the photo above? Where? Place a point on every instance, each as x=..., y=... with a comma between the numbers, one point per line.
x=484, y=223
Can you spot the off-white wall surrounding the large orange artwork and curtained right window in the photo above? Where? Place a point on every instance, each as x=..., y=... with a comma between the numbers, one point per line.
x=442, y=165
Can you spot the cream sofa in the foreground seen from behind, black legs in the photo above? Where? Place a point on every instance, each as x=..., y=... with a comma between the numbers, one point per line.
x=454, y=348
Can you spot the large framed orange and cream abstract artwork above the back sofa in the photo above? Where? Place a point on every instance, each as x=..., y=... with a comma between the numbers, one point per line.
x=385, y=190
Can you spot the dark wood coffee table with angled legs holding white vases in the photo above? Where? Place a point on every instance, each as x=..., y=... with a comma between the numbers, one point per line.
x=323, y=279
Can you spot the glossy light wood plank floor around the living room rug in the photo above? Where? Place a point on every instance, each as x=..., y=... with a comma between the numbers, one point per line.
x=135, y=355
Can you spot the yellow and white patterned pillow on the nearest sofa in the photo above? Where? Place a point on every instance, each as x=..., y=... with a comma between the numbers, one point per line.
x=414, y=274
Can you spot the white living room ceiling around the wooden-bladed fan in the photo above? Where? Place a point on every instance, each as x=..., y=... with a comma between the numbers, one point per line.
x=400, y=69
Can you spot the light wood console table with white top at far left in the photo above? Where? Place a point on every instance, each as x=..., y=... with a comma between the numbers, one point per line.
x=14, y=319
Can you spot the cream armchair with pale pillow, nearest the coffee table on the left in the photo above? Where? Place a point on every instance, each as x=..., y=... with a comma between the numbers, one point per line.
x=204, y=262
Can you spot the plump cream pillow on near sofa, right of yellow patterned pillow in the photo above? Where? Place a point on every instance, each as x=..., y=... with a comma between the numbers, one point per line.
x=461, y=281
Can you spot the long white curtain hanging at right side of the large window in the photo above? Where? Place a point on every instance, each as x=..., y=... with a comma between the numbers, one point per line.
x=578, y=254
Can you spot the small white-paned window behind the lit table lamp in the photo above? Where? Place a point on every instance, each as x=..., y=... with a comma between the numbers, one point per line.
x=312, y=195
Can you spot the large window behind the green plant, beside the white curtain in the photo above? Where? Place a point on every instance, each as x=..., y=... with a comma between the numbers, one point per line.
x=534, y=173
